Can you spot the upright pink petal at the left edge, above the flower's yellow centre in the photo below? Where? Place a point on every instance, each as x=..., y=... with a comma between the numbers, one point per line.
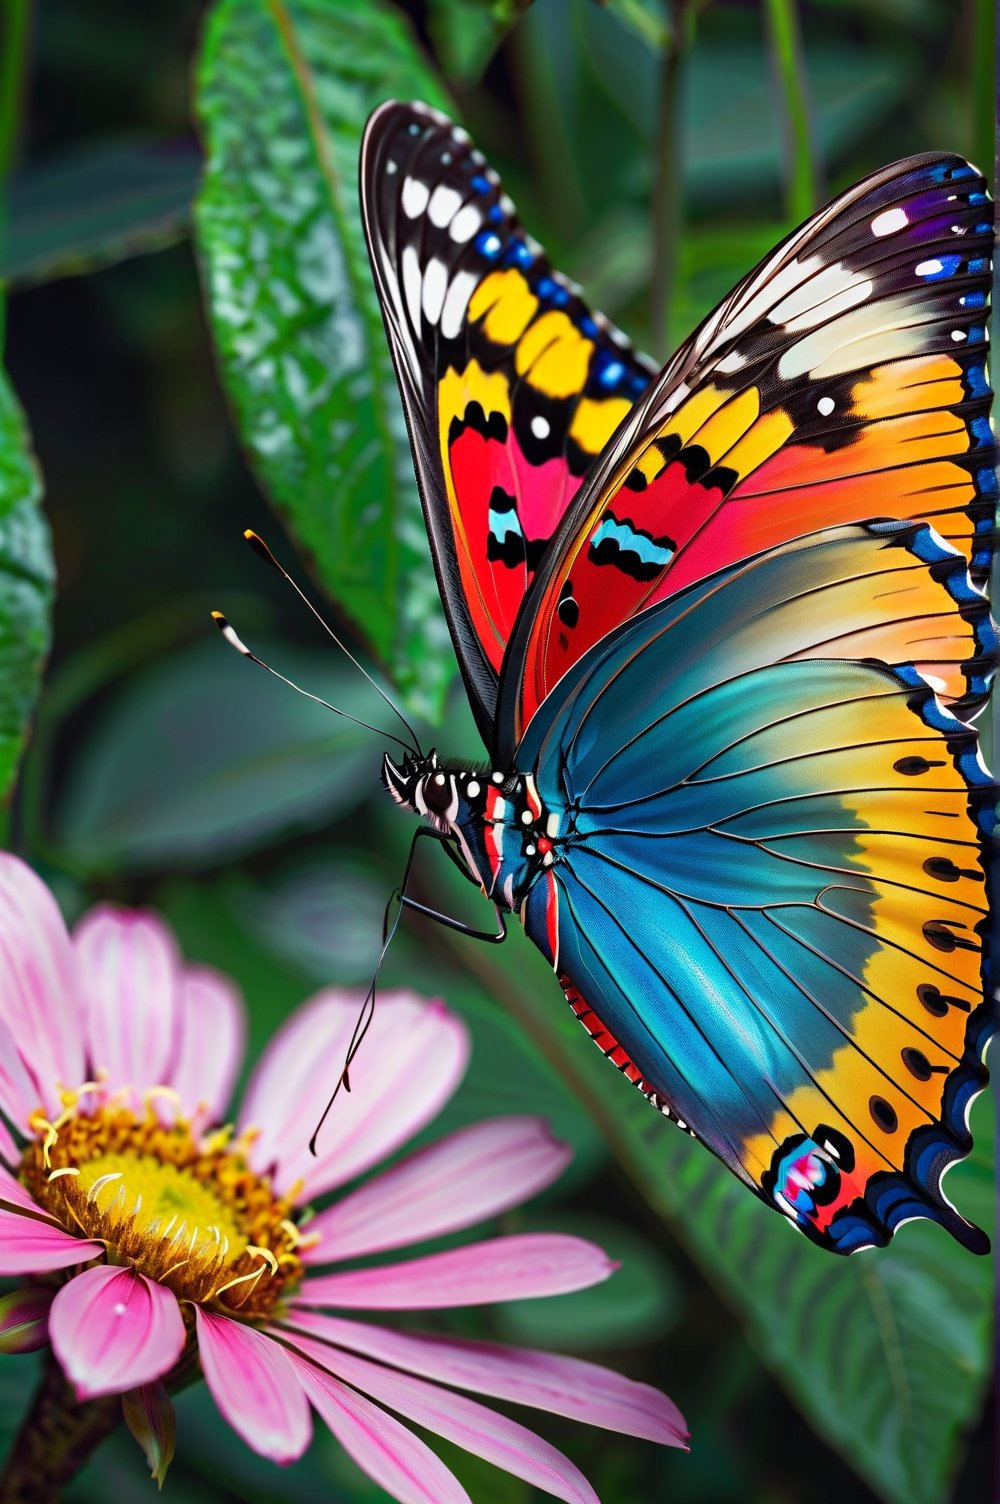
x=38, y=983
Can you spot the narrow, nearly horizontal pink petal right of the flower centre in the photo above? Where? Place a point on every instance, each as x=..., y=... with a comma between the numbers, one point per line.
x=483, y=1273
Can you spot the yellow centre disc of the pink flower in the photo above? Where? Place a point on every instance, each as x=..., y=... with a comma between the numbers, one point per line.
x=184, y=1211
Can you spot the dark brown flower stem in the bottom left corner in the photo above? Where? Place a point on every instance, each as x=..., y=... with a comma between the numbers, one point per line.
x=56, y=1439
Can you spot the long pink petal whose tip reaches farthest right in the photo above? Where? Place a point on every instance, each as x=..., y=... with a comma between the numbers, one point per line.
x=542, y=1380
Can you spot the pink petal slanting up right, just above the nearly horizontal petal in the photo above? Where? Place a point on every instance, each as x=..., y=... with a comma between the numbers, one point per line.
x=474, y=1174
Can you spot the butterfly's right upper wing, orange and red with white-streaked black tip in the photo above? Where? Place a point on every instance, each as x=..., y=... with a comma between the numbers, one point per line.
x=843, y=380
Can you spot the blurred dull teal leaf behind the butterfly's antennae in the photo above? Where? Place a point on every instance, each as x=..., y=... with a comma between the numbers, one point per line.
x=202, y=759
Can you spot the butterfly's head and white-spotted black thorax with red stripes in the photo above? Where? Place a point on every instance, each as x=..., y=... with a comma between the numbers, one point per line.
x=505, y=834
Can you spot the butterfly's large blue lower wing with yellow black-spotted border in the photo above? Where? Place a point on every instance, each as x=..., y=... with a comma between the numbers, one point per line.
x=774, y=864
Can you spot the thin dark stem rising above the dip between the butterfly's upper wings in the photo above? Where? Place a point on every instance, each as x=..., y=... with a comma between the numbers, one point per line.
x=668, y=181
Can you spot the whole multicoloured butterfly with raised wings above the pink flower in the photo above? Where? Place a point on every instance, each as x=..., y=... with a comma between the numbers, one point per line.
x=724, y=634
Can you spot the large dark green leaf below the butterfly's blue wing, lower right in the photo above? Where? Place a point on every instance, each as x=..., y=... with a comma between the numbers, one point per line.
x=886, y=1354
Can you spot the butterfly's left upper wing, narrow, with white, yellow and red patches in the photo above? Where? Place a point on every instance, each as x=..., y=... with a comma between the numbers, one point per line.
x=512, y=384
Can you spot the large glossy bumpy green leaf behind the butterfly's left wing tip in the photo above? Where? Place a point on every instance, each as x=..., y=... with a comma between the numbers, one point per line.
x=283, y=96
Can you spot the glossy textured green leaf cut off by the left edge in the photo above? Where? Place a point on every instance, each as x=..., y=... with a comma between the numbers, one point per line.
x=26, y=586
